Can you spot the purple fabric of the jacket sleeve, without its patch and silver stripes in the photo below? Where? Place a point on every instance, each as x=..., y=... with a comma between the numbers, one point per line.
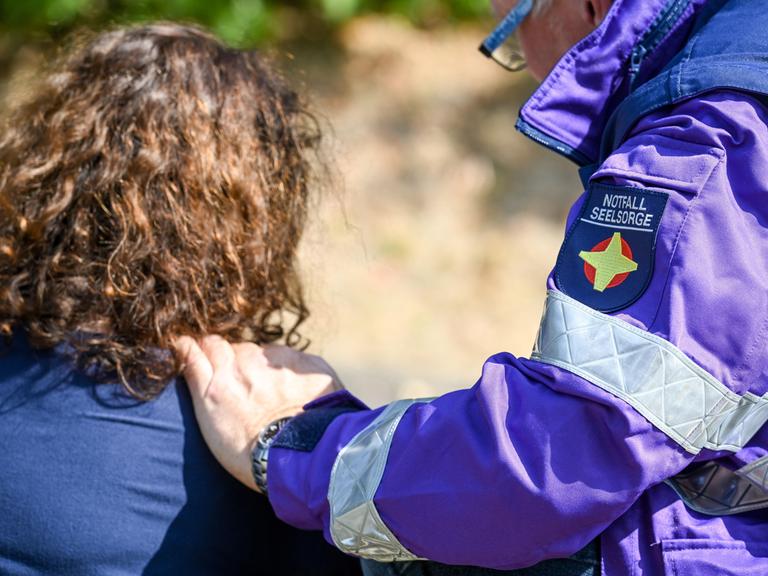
x=534, y=461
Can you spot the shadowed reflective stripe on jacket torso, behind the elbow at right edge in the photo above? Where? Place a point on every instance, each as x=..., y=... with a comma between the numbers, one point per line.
x=713, y=489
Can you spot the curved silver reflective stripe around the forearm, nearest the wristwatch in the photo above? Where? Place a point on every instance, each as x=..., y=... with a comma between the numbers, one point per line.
x=356, y=526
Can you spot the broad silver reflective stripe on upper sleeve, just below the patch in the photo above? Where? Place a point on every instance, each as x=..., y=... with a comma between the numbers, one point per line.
x=657, y=379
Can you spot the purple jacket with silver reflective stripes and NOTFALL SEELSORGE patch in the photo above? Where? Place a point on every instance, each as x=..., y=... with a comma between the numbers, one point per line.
x=657, y=373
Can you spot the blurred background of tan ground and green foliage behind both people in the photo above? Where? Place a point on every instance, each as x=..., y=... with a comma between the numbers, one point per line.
x=430, y=247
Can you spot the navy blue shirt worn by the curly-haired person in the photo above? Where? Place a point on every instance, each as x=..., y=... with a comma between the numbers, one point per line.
x=94, y=482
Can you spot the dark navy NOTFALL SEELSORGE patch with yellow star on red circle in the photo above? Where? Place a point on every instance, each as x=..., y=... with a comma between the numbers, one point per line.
x=607, y=258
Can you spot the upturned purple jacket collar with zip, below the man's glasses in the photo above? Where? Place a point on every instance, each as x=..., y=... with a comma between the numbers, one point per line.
x=570, y=109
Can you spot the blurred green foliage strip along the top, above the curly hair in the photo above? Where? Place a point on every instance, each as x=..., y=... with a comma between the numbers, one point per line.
x=240, y=22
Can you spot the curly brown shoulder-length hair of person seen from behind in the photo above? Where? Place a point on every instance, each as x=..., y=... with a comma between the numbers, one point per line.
x=155, y=186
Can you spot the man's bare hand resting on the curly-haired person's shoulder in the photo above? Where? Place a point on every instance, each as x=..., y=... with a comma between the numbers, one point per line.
x=239, y=389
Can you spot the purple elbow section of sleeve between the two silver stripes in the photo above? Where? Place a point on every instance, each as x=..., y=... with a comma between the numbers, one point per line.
x=513, y=472
